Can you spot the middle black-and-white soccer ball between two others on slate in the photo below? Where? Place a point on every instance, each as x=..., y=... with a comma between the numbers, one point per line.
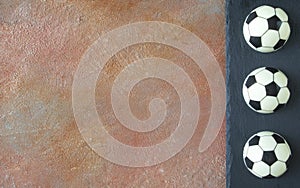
x=265, y=90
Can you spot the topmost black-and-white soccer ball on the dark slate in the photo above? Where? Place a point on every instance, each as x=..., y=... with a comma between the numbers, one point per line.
x=266, y=29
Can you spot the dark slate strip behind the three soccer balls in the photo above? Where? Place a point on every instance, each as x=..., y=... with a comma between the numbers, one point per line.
x=242, y=122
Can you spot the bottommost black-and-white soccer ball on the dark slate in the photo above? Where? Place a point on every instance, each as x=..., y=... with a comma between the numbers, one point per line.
x=266, y=155
